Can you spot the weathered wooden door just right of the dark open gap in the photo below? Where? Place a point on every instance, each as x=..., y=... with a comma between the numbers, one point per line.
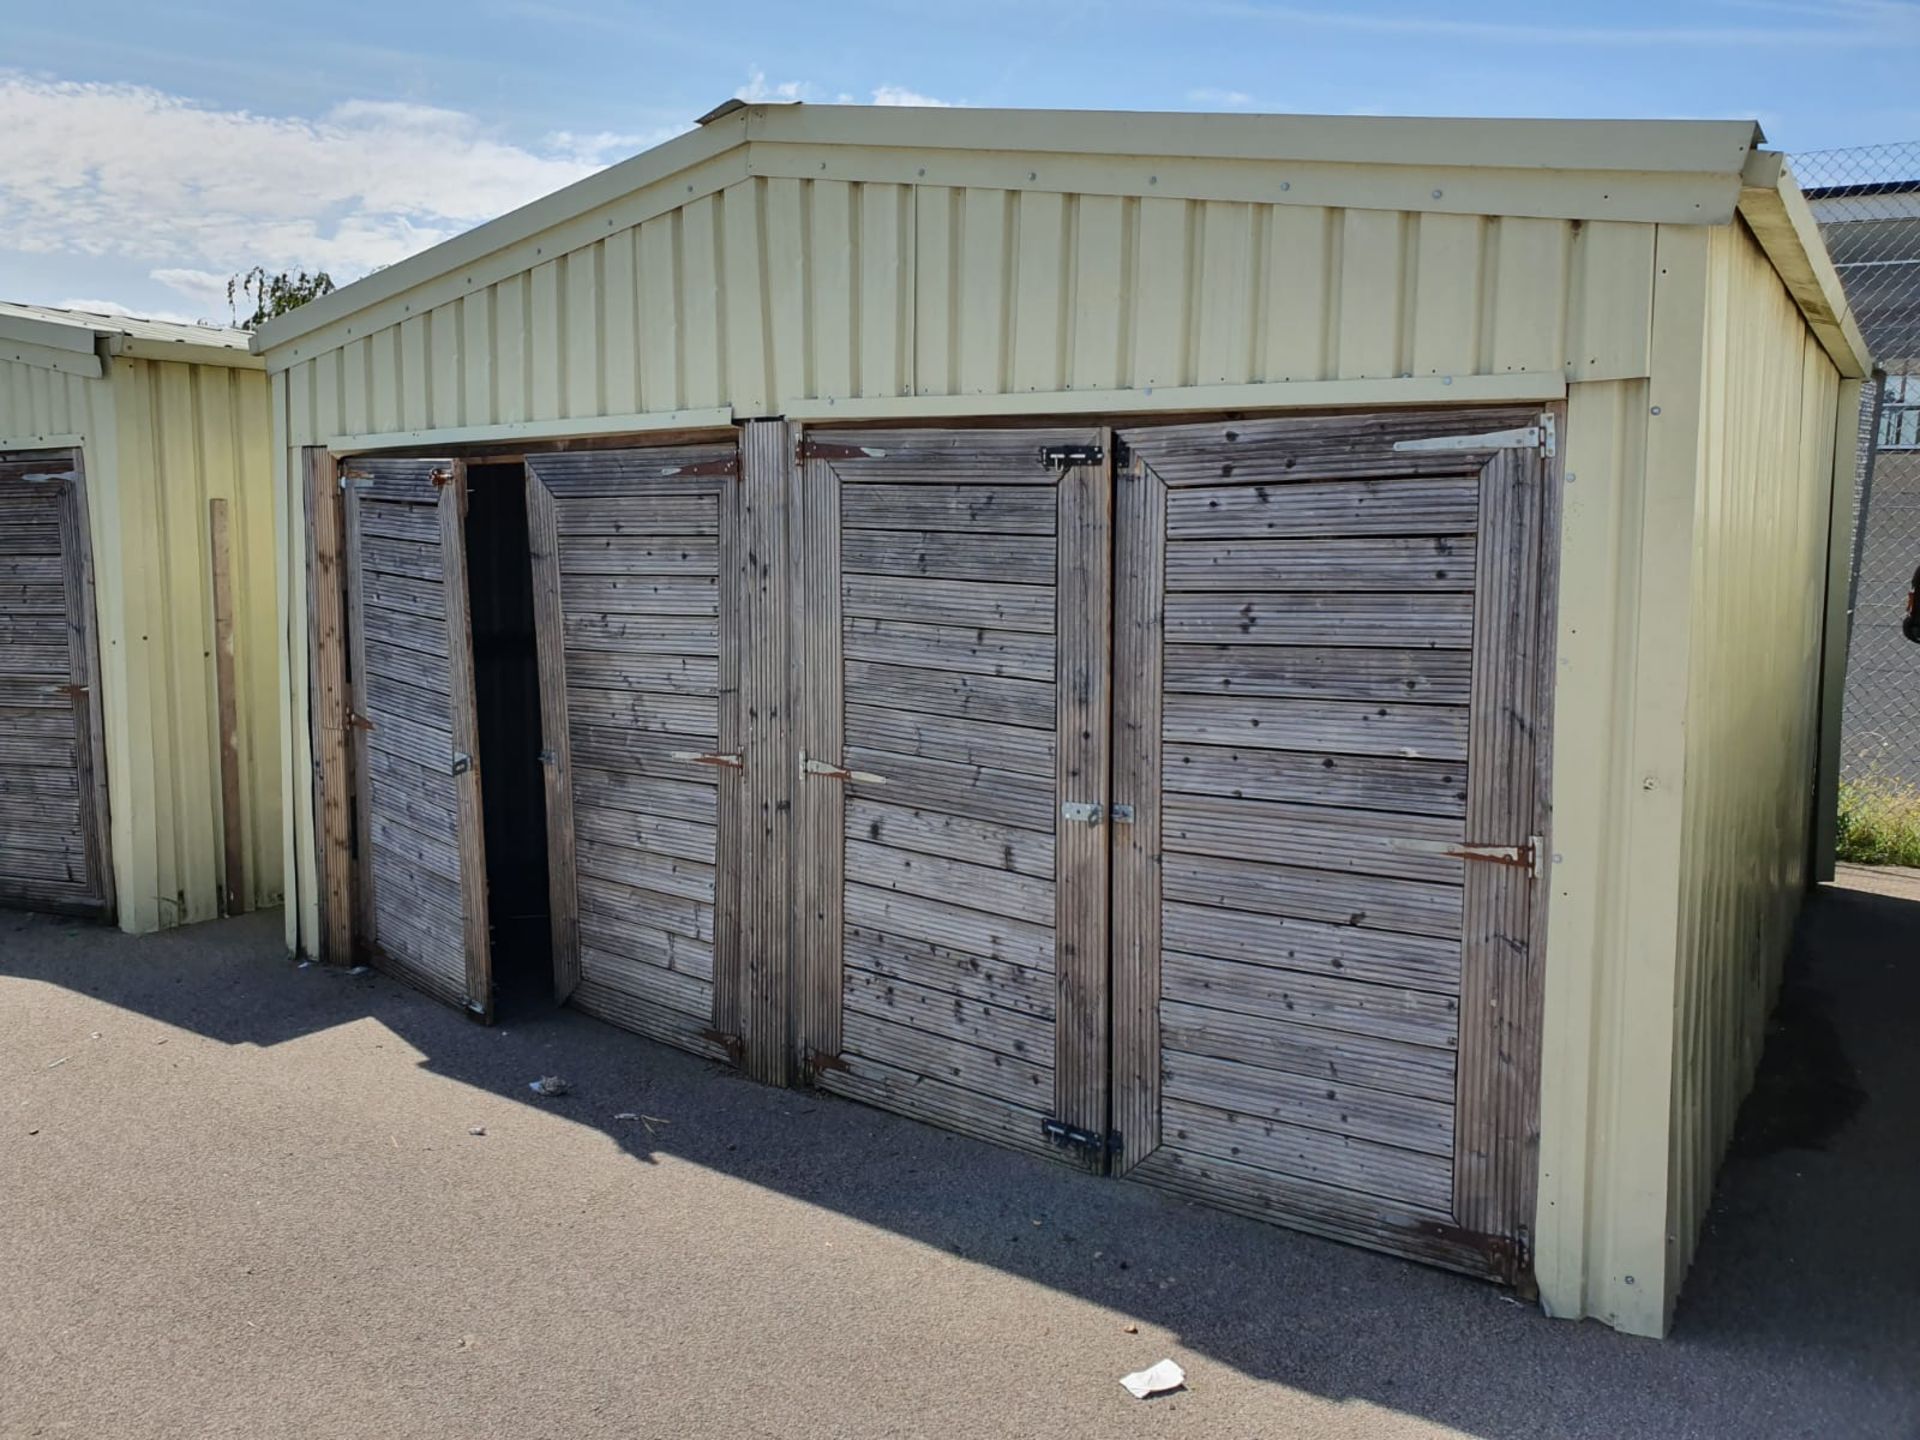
x=636, y=606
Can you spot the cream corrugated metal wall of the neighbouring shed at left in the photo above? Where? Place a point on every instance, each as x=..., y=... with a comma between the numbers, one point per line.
x=162, y=439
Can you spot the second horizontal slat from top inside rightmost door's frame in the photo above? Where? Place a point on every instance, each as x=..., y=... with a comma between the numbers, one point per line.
x=1401, y=564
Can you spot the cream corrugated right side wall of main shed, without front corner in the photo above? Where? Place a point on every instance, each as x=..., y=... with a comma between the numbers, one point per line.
x=1771, y=404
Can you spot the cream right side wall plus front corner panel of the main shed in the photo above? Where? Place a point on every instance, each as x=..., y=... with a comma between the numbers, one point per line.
x=1692, y=596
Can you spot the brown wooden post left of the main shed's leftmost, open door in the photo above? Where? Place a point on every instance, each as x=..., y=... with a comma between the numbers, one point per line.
x=327, y=656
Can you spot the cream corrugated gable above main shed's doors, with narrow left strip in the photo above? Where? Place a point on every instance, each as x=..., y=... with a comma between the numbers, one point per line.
x=771, y=293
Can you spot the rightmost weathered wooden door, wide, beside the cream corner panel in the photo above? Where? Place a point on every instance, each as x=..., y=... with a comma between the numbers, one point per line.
x=1328, y=696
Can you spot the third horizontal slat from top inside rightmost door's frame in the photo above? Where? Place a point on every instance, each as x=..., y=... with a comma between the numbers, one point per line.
x=1272, y=619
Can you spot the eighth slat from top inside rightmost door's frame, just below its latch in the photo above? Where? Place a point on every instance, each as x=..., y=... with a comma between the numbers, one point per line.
x=1368, y=901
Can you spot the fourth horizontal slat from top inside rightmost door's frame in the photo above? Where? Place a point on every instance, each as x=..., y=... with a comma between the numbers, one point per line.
x=1326, y=673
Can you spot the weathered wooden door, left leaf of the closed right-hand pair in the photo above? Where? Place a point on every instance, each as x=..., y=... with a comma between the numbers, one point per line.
x=951, y=642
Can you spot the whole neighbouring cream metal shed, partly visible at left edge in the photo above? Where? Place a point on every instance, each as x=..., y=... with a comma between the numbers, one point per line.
x=141, y=713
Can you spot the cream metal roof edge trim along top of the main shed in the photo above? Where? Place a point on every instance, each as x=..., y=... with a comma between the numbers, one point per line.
x=1652, y=172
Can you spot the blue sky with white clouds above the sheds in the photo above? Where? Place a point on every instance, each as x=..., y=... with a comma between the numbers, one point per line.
x=149, y=151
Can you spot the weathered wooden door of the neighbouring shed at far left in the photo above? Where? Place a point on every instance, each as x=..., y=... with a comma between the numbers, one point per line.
x=53, y=769
